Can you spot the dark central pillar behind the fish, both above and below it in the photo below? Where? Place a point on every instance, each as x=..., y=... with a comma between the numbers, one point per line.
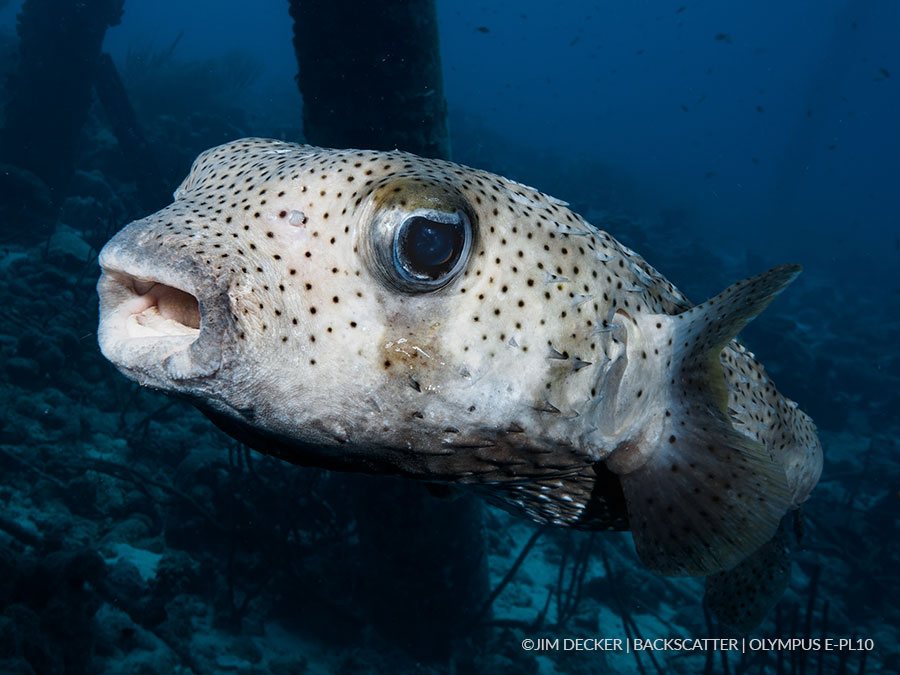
x=370, y=76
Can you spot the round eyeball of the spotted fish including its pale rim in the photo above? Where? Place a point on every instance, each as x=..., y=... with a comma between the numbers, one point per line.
x=428, y=246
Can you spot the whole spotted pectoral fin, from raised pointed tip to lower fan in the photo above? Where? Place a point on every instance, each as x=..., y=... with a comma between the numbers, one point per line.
x=701, y=496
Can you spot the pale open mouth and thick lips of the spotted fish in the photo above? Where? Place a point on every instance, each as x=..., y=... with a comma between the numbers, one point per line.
x=162, y=326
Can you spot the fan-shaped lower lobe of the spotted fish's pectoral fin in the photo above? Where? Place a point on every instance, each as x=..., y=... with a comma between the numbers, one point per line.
x=705, y=502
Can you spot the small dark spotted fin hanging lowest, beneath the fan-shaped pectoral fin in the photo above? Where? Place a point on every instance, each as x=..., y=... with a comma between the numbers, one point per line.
x=742, y=596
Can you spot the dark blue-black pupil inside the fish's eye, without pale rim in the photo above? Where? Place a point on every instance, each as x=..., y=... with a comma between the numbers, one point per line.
x=430, y=248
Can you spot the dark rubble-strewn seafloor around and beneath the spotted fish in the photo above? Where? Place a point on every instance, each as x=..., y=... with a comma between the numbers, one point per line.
x=135, y=538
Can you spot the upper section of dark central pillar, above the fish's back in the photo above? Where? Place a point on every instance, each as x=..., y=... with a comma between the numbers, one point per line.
x=370, y=75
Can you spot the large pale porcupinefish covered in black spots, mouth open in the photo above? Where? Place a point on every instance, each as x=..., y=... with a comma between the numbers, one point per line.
x=381, y=312
